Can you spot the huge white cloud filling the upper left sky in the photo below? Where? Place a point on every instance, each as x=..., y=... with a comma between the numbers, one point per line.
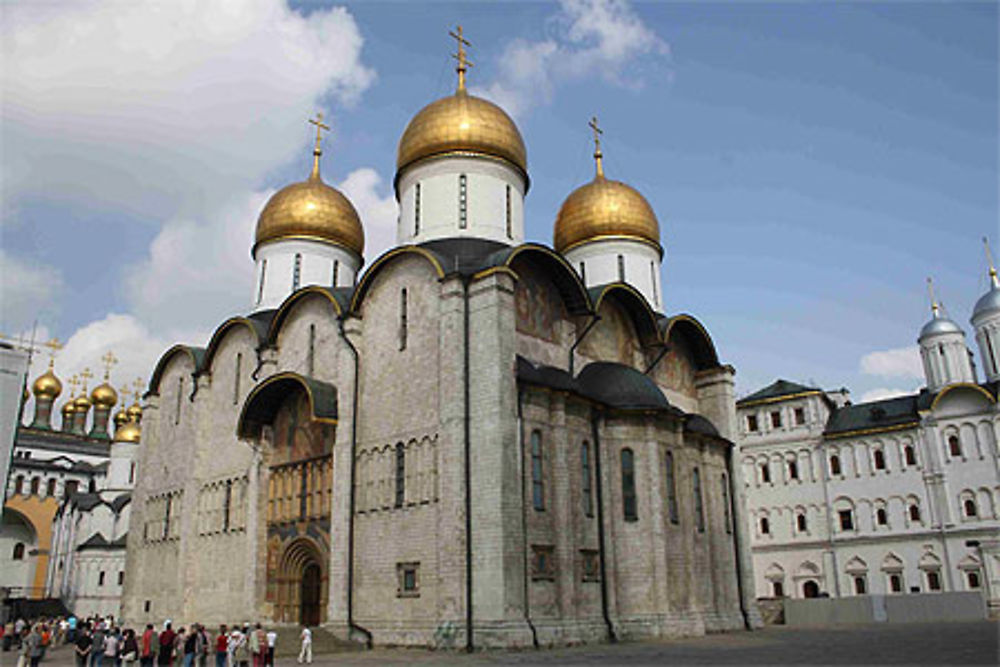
x=164, y=109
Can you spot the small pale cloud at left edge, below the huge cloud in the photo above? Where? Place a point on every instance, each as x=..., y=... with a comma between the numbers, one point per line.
x=28, y=291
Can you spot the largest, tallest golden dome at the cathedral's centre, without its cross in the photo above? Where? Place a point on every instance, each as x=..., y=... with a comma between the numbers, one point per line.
x=462, y=123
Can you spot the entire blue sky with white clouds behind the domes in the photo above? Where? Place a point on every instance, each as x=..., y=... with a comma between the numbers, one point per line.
x=810, y=163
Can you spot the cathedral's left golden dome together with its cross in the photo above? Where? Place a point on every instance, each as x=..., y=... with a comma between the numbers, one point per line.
x=311, y=210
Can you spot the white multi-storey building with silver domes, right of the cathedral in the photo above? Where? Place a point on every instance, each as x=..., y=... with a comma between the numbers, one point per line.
x=893, y=496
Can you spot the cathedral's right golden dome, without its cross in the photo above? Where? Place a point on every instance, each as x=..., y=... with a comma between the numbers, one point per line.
x=605, y=209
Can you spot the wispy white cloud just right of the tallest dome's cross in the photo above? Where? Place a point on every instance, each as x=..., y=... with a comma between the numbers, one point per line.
x=591, y=38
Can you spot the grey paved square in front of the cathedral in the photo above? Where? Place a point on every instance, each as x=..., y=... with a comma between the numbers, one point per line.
x=928, y=644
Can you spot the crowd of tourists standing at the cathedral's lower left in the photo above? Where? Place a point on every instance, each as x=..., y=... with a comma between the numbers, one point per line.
x=101, y=642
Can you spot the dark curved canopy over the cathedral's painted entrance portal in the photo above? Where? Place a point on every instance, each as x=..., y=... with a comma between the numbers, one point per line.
x=262, y=404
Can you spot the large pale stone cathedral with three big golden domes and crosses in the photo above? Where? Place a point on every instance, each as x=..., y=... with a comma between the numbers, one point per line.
x=475, y=442
